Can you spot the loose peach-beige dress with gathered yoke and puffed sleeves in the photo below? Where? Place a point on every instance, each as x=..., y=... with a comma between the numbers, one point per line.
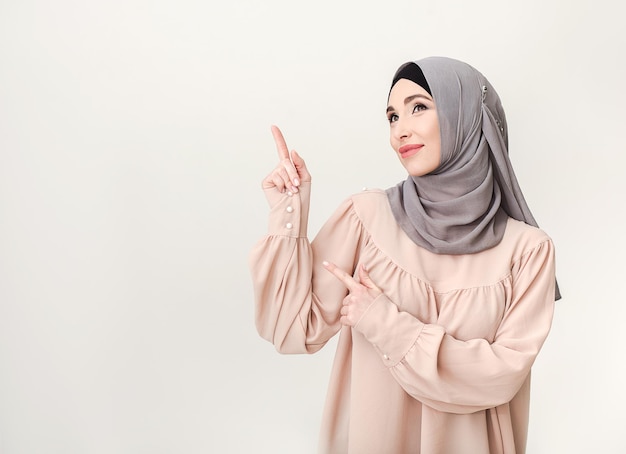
x=440, y=363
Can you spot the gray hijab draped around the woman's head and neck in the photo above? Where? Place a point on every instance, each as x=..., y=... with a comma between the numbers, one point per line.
x=462, y=206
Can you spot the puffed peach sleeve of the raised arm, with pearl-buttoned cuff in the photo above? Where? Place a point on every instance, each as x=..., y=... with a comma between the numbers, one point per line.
x=297, y=301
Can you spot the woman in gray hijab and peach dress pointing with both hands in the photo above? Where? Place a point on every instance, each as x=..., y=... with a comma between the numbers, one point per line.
x=453, y=288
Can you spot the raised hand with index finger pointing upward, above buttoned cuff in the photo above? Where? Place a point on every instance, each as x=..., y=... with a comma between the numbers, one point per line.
x=291, y=170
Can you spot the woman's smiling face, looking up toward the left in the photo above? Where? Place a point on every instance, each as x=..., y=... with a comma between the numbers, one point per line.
x=414, y=128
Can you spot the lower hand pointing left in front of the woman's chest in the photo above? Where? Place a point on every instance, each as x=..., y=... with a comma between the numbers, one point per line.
x=361, y=295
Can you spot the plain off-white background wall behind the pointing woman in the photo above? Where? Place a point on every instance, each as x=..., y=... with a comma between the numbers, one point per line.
x=133, y=139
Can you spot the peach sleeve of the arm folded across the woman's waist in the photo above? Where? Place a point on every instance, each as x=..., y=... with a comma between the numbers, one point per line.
x=457, y=376
